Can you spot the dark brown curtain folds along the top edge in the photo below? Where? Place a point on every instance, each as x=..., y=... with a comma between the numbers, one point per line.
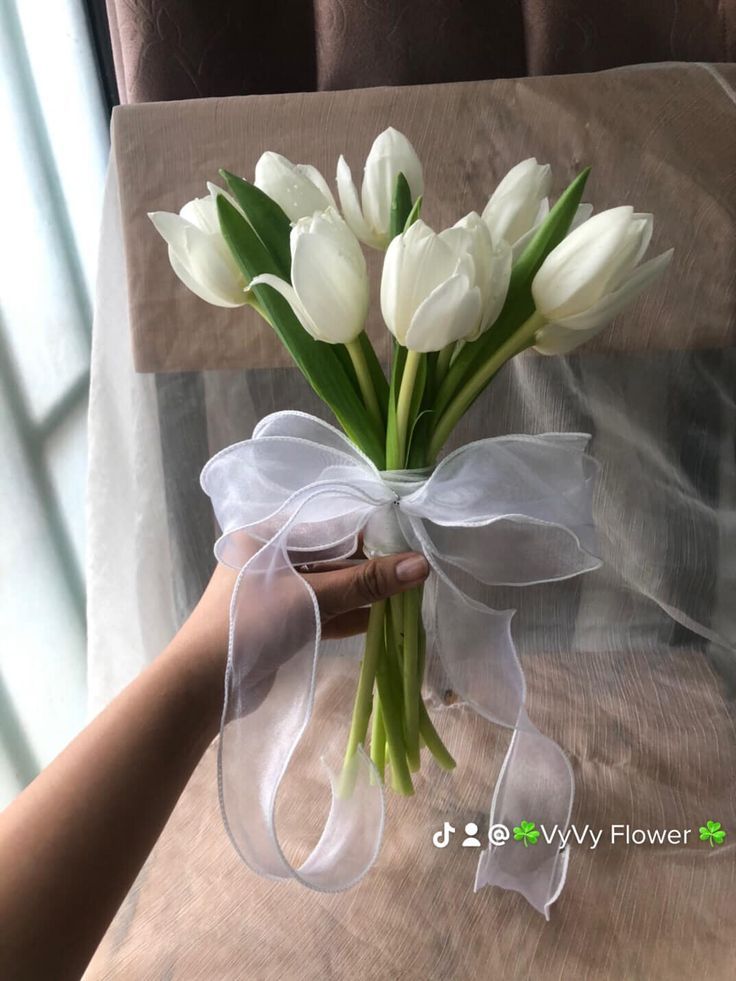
x=186, y=49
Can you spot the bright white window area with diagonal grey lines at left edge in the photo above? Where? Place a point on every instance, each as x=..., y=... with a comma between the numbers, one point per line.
x=52, y=170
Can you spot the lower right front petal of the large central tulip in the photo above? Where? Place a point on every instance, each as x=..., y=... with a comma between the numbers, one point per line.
x=448, y=314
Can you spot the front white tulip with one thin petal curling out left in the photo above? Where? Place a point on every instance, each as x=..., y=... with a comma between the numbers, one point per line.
x=329, y=280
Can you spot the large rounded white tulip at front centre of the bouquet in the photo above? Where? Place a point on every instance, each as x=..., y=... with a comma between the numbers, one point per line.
x=429, y=296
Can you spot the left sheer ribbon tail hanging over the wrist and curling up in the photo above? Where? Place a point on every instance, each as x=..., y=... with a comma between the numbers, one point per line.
x=269, y=697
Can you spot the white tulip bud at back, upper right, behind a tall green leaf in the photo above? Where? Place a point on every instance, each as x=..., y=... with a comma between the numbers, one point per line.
x=519, y=204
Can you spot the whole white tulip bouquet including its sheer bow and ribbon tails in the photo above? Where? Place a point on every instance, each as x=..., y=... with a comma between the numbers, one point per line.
x=460, y=303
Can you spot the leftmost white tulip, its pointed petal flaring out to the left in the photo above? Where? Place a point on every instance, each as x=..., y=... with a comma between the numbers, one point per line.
x=198, y=253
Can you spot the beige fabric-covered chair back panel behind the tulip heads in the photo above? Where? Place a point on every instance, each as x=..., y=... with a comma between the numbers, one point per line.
x=654, y=137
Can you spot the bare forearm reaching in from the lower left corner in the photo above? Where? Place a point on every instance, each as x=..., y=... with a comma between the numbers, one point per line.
x=72, y=844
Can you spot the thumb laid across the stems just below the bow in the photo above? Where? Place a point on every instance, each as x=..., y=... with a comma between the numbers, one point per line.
x=377, y=579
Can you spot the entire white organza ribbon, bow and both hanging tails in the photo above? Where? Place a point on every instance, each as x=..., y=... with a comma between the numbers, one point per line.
x=512, y=510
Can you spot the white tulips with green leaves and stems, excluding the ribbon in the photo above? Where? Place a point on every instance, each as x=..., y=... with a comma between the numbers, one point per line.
x=460, y=303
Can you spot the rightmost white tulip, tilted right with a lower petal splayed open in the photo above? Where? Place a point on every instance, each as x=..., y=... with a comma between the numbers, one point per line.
x=591, y=276
